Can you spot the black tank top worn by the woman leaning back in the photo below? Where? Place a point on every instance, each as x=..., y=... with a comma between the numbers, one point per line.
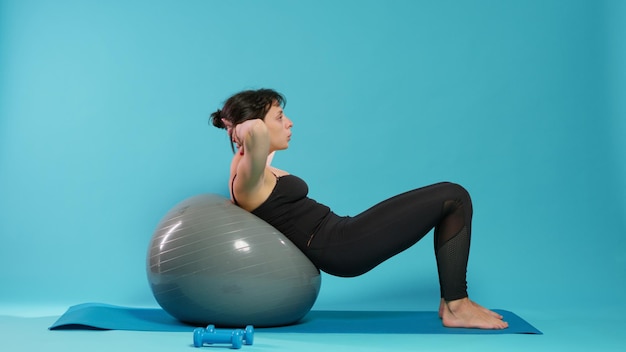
x=290, y=211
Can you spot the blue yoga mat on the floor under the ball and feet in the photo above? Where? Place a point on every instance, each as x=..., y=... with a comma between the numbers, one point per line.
x=97, y=316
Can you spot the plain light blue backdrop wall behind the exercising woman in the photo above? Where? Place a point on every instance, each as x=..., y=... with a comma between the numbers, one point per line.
x=104, y=127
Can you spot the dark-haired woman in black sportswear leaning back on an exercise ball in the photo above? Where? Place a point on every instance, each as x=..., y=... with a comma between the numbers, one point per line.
x=348, y=246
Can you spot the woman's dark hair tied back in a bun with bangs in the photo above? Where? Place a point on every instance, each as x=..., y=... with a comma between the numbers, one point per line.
x=247, y=105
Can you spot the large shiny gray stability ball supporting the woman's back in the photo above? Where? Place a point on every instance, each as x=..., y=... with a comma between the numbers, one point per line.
x=211, y=262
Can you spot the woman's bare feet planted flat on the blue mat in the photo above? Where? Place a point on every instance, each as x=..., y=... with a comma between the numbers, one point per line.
x=464, y=313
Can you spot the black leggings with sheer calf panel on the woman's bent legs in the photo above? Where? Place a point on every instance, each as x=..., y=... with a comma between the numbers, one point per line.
x=350, y=246
